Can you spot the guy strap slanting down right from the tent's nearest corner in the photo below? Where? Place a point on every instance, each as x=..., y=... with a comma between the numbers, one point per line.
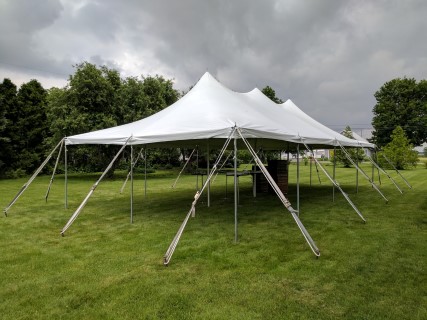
x=281, y=196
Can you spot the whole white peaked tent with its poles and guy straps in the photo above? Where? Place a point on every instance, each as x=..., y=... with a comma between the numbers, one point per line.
x=212, y=115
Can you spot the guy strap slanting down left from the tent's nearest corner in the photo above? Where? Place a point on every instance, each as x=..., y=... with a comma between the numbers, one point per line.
x=168, y=255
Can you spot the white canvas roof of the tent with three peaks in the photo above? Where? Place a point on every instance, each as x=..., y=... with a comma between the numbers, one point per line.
x=210, y=111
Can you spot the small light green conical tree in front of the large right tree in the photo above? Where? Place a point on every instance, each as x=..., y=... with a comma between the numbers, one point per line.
x=399, y=151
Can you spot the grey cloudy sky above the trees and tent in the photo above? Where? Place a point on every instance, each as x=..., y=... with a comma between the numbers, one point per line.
x=328, y=56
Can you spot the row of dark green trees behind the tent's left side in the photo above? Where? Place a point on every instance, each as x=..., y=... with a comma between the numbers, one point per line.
x=34, y=120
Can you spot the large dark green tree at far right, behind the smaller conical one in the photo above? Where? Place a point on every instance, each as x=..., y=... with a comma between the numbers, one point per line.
x=401, y=102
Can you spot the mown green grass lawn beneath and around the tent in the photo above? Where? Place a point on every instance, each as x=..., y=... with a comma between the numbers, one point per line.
x=107, y=268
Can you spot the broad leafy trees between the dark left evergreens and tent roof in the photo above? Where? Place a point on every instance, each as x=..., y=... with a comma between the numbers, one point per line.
x=97, y=98
